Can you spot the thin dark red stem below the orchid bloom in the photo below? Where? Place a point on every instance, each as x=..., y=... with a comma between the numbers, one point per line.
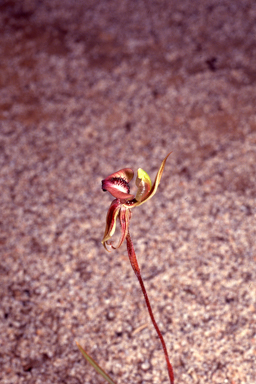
x=136, y=268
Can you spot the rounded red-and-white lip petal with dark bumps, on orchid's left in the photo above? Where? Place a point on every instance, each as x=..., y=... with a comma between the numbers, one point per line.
x=117, y=184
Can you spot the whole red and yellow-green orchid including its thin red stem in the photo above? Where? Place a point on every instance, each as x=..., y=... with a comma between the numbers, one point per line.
x=117, y=184
